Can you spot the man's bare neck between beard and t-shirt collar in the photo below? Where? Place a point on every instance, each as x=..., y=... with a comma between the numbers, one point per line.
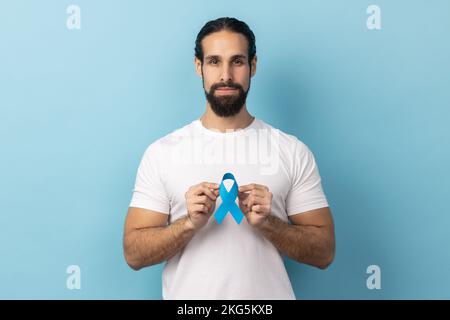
x=239, y=121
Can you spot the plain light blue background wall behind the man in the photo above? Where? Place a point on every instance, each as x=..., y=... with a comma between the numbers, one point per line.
x=79, y=107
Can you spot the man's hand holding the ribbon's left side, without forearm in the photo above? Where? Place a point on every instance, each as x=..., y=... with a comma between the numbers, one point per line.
x=201, y=203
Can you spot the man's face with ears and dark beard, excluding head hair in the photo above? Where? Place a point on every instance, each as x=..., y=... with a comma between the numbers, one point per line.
x=225, y=71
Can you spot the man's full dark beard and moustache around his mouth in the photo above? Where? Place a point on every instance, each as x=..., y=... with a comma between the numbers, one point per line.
x=226, y=105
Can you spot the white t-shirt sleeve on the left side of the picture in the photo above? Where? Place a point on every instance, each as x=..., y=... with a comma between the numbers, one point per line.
x=149, y=191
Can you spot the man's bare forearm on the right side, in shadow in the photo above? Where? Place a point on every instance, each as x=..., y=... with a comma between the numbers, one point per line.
x=312, y=245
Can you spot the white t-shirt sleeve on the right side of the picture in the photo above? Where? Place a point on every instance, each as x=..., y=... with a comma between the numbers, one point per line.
x=306, y=191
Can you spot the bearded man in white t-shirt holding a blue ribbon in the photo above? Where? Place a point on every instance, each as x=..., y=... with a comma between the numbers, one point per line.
x=172, y=214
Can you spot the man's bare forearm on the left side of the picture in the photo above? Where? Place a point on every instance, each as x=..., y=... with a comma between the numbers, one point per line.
x=148, y=246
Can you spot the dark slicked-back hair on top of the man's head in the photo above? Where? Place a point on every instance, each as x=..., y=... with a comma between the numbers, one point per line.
x=231, y=24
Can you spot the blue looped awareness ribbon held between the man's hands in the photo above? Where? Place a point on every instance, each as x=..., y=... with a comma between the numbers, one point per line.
x=228, y=201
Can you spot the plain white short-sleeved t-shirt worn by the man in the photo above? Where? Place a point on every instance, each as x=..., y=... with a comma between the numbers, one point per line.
x=227, y=260
